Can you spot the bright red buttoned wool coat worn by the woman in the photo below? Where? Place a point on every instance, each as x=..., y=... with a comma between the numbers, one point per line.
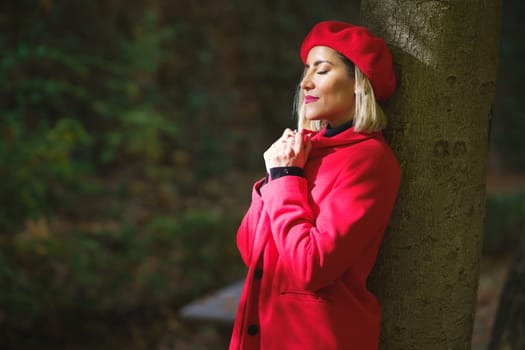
x=310, y=243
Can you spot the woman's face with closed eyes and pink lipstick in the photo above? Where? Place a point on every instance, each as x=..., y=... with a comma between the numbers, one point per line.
x=327, y=87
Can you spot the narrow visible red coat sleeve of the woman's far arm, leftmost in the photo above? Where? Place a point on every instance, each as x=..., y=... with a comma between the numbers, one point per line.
x=246, y=231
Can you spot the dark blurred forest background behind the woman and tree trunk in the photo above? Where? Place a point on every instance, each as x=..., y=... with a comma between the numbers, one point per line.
x=130, y=135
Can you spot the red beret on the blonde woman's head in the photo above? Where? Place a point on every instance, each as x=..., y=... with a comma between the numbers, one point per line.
x=364, y=49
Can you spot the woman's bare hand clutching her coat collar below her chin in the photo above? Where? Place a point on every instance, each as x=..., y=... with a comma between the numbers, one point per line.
x=289, y=150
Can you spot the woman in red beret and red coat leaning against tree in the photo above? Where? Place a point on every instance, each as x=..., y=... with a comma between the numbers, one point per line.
x=314, y=227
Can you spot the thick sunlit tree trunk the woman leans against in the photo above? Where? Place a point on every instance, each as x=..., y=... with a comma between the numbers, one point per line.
x=445, y=55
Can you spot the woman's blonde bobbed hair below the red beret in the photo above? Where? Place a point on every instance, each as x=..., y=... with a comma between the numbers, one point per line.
x=368, y=117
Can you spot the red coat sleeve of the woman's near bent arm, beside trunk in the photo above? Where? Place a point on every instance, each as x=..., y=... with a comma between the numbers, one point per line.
x=351, y=219
